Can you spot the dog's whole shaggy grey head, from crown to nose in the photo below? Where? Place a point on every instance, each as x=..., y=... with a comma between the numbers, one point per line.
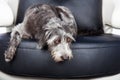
x=59, y=36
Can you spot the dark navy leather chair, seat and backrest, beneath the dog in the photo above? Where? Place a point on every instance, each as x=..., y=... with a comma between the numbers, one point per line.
x=97, y=55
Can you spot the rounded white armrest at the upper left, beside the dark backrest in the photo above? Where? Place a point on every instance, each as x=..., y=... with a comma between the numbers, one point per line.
x=6, y=14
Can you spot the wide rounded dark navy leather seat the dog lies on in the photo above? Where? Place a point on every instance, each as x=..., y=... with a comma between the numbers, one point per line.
x=93, y=56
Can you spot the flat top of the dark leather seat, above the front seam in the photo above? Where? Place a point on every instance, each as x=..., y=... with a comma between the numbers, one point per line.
x=106, y=40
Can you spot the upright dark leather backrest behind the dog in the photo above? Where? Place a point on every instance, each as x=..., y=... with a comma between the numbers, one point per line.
x=88, y=13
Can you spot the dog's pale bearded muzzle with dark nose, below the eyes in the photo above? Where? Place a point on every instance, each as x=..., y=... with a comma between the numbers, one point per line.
x=61, y=52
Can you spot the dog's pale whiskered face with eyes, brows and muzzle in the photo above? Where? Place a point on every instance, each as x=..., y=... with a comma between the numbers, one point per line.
x=59, y=43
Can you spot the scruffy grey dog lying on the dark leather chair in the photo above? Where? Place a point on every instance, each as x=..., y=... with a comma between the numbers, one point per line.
x=51, y=25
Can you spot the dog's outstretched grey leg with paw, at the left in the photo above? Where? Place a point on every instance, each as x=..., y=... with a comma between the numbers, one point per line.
x=16, y=36
